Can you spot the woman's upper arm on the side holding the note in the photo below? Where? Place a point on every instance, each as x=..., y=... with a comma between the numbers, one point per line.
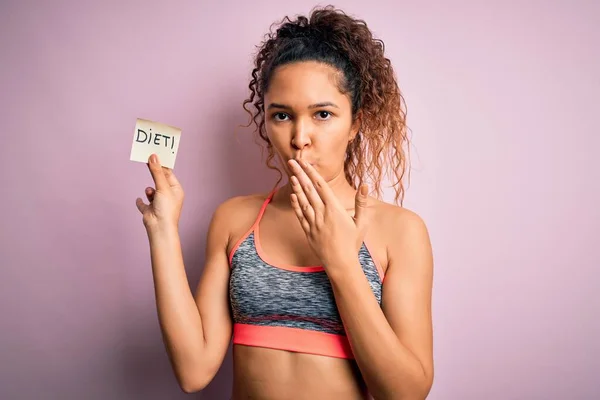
x=212, y=293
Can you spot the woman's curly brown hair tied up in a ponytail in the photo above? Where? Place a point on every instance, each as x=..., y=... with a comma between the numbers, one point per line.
x=331, y=36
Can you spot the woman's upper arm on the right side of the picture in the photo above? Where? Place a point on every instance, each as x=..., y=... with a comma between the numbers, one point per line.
x=408, y=288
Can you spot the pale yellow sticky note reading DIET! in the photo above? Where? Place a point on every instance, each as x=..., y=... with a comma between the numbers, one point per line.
x=152, y=137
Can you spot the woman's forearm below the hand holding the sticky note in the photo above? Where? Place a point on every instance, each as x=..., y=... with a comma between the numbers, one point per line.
x=178, y=315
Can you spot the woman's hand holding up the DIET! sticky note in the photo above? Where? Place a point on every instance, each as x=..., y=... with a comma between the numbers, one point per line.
x=166, y=200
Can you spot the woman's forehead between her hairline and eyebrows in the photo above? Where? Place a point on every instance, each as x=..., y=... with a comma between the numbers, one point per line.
x=303, y=83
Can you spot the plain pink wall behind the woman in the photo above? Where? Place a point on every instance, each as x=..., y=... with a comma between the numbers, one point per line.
x=503, y=106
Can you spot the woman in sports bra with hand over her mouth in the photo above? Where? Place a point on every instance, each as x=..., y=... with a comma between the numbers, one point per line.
x=326, y=290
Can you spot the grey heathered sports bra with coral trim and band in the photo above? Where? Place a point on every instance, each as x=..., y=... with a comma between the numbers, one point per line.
x=288, y=307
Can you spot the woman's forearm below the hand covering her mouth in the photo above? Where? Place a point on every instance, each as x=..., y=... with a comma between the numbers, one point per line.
x=389, y=368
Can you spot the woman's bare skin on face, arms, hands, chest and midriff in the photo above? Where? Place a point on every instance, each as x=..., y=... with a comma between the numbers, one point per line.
x=317, y=218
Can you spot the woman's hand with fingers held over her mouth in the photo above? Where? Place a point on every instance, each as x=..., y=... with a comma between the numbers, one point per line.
x=334, y=236
